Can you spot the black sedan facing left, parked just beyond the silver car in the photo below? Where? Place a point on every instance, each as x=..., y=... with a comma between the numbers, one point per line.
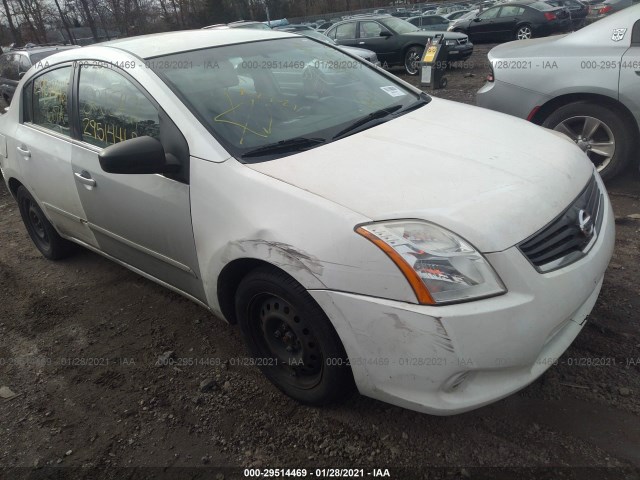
x=519, y=20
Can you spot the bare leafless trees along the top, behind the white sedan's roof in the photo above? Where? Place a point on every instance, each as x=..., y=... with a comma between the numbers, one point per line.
x=32, y=21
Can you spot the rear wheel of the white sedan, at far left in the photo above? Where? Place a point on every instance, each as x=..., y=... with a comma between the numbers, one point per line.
x=42, y=233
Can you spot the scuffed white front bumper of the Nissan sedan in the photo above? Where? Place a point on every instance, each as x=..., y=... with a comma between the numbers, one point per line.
x=450, y=359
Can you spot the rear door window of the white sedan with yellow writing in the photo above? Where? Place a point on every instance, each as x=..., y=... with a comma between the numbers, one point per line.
x=50, y=109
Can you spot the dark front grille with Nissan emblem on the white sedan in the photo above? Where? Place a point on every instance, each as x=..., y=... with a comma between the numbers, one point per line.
x=570, y=236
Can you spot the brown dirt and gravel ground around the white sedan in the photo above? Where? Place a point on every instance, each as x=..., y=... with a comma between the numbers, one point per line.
x=80, y=341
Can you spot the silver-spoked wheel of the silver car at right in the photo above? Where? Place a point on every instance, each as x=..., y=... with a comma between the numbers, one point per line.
x=580, y=118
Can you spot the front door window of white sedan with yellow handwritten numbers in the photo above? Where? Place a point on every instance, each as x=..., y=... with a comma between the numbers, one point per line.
x=112, y=109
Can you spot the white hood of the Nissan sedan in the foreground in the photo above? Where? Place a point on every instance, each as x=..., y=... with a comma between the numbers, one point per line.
x=490, y=177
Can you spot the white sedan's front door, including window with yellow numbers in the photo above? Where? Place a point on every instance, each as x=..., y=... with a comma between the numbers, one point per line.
x=144, y=220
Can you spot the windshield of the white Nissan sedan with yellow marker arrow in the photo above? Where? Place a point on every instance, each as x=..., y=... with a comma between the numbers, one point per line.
x=264, y=100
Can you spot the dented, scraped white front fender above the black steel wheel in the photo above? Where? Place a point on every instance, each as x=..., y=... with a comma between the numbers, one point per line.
x=240, y=213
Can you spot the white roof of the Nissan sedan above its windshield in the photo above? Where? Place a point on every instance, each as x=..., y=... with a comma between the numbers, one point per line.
x=158, y=44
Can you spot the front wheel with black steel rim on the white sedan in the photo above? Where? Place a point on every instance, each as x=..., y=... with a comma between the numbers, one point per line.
x=291, y=338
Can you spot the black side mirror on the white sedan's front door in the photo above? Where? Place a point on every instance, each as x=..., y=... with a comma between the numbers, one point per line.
x=140, y=155
